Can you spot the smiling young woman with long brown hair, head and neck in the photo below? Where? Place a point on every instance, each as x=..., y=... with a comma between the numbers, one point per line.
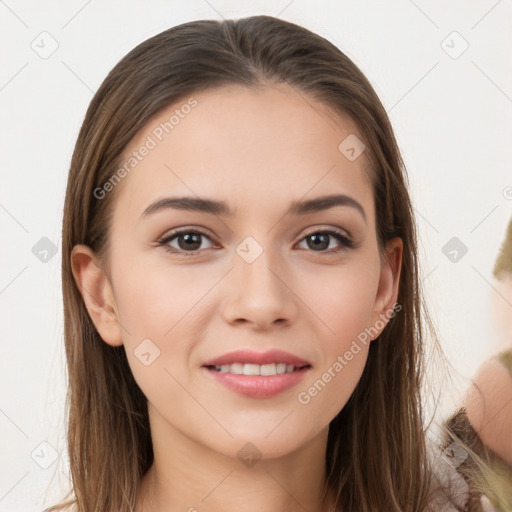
x=263, y=141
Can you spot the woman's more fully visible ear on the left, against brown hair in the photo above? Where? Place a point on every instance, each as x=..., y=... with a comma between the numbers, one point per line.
x=97, y=293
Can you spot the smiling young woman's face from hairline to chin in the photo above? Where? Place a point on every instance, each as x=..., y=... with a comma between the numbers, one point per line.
x=259, y=279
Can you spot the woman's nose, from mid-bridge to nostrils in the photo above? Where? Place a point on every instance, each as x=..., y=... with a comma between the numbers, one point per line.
x=260, y=294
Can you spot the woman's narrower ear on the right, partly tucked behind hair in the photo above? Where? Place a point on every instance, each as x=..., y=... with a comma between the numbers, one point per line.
x=387, y=292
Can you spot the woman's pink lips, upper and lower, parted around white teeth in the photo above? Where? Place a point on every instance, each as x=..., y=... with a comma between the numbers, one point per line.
x=258, y=386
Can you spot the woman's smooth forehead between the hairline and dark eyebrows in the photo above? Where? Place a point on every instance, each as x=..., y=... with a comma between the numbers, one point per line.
x=266, y=146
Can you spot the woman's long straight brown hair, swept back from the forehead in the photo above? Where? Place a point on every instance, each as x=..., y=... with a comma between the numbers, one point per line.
x=376, y=450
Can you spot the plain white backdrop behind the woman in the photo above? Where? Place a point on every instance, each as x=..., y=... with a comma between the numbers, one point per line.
x=441, y=69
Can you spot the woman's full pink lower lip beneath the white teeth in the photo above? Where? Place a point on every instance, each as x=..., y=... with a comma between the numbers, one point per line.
x=259, y=386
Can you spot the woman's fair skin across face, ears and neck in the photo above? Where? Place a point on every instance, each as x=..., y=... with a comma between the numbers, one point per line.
x=257, y=150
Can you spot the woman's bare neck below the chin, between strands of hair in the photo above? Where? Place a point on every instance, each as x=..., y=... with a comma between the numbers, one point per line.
x=189, y=476
